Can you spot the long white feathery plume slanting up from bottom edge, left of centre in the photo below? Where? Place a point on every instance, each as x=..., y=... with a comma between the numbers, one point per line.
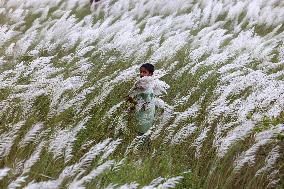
x=79, y=184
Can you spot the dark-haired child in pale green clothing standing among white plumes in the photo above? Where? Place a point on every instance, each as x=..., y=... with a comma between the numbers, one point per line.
x=141, y=97
